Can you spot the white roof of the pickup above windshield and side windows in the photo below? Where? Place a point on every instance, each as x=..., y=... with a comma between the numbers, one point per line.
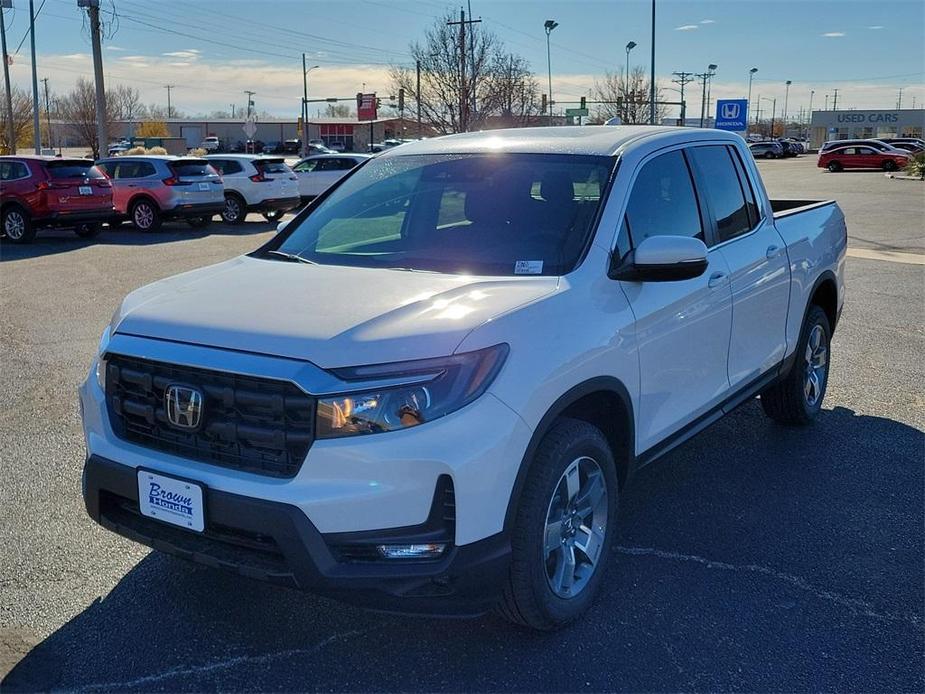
x=600, y=140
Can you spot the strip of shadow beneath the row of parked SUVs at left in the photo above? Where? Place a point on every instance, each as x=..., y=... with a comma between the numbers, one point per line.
x=64, y=240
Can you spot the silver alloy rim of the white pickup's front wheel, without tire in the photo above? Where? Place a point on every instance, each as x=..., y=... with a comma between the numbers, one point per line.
x=576, y=523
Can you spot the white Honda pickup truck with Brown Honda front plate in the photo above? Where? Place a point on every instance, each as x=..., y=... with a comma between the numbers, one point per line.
x=427, y=392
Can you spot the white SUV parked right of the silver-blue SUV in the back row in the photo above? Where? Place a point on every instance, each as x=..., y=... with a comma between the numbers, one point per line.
x=255, y=183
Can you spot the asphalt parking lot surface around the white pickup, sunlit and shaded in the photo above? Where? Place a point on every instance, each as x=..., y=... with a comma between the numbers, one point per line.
x=752, y=558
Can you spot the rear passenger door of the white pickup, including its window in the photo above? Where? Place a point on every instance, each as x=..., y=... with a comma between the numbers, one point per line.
x=755, y=253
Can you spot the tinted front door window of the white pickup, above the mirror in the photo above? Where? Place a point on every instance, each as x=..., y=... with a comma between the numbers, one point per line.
x=662, y=202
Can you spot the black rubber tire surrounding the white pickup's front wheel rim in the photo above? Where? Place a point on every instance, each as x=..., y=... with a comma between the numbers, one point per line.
x=528, y=598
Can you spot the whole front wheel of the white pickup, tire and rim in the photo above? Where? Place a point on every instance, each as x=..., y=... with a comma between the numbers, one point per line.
x=564, y=528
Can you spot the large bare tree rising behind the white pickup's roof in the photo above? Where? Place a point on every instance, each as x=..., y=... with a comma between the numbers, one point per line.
x=501, y=82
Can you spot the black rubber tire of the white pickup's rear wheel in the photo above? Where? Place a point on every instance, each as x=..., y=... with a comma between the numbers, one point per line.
x=787, y=401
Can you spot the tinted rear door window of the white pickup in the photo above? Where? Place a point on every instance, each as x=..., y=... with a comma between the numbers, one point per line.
x=719, y=182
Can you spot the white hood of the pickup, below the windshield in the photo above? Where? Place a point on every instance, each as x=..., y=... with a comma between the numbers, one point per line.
x=329, y=315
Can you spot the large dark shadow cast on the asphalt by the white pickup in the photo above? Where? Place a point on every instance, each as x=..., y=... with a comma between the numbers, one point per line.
x=754, y=557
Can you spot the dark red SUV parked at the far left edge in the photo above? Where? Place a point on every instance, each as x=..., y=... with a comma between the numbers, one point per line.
x=37, y=192
